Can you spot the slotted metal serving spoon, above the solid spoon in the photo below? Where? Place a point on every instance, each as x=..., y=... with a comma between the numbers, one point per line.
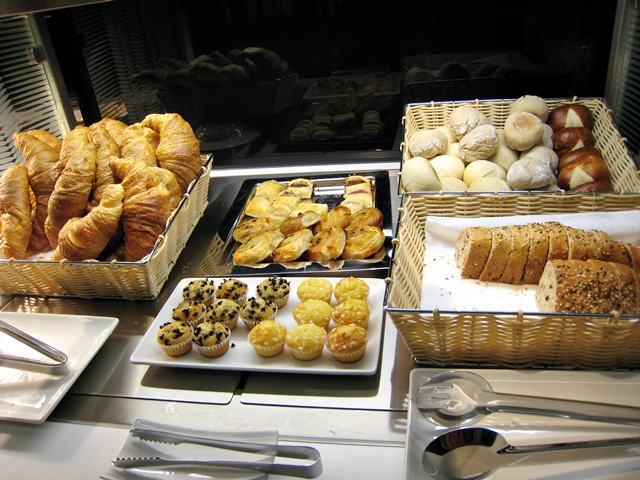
x=459, y=397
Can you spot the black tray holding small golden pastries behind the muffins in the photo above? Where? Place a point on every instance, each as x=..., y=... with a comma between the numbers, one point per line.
x=327, y=189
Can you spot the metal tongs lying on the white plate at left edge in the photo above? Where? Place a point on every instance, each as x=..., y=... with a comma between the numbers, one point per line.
x=58, y=366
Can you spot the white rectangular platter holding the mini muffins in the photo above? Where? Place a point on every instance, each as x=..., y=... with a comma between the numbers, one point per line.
x=241, y=355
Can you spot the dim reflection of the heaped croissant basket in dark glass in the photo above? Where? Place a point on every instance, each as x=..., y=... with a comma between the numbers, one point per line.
x=252, y=81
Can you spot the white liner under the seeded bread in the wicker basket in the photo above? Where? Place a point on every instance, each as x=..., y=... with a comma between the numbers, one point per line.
x=443, y=288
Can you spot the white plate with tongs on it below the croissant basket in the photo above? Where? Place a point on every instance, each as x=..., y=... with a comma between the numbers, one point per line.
x=31, y=397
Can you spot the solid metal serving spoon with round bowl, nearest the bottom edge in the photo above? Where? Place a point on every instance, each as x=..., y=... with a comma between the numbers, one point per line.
x=473, y=453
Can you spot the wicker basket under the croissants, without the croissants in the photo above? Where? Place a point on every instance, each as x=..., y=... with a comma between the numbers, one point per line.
x=128, y=280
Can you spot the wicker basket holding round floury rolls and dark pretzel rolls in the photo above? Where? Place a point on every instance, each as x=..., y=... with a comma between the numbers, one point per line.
x=624, y=173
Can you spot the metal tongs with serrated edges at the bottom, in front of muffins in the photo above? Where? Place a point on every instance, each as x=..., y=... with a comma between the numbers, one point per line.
x=311, y=469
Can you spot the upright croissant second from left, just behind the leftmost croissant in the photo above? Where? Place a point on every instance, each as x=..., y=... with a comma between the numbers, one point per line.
x=40, y=157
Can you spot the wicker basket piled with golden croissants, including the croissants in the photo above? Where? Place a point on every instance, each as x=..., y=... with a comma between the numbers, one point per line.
x=103, y=213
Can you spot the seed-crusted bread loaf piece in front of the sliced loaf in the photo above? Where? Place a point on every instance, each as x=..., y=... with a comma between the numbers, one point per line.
x=590, y=286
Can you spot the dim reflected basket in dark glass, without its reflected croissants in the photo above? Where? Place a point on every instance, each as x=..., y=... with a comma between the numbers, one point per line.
x=197, y=105
